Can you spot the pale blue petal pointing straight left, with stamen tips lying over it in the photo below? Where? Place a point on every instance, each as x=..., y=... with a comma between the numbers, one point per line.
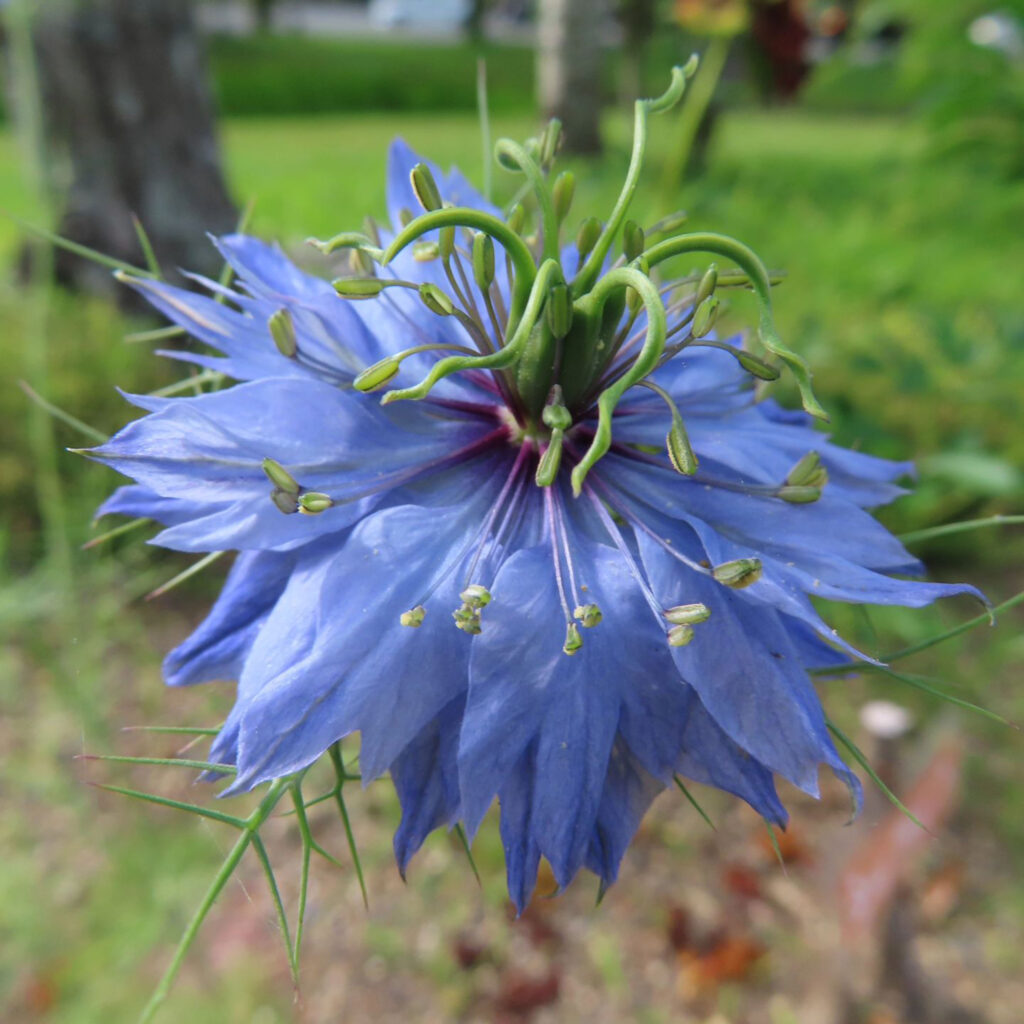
x=210, y=450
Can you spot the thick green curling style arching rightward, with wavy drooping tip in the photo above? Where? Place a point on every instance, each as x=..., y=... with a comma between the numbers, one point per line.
x=748, y=261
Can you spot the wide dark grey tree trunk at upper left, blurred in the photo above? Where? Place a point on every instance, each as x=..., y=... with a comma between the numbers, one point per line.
x=131, y=130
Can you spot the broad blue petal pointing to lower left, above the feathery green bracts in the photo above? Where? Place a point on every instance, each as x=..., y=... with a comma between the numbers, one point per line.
x=360, y=668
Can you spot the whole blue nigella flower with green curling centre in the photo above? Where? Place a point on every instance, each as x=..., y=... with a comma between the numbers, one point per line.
x=580, y=563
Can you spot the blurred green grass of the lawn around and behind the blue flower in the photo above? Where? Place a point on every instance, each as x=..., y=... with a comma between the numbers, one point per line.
x=902, y=291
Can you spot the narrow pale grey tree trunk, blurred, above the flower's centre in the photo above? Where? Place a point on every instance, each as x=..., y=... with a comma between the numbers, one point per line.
x=570, y=61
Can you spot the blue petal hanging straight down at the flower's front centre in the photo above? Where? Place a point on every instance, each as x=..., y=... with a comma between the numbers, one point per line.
x=568, y=708
